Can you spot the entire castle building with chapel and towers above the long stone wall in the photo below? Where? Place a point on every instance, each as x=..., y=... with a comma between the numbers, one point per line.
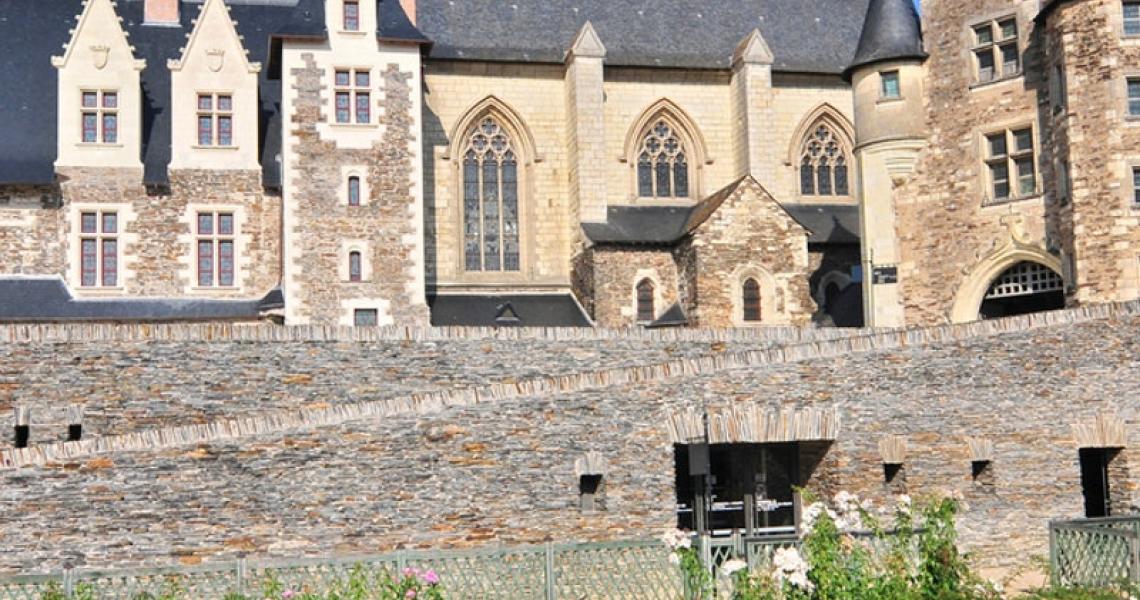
x=592, y=164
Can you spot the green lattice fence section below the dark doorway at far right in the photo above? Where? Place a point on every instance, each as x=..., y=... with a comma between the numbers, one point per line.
x=1095, y=552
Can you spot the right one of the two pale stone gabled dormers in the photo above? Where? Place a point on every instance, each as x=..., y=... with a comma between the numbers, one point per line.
x=215, y=96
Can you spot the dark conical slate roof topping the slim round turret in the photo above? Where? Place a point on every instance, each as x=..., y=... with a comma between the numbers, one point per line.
x=892, y=31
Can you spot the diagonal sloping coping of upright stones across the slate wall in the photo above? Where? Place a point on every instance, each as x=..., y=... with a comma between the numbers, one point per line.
x=422, y=404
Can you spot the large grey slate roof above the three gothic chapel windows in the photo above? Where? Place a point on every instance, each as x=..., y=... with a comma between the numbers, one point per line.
x=805, y=36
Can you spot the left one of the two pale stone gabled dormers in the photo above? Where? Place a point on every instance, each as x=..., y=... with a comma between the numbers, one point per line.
x=100, y=111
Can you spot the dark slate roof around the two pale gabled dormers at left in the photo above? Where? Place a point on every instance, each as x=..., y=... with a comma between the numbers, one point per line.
x=34, y=31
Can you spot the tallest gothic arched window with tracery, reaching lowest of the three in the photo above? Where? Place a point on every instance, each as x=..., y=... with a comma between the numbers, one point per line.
x=491, y=200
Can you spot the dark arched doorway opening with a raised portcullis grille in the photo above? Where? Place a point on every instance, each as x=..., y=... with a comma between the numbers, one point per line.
x=1025, y=288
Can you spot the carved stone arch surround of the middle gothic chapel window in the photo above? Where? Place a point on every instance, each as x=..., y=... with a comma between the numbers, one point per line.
x=686, y=128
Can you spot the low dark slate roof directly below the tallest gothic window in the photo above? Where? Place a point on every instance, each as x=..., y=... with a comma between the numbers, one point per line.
x=491, y=311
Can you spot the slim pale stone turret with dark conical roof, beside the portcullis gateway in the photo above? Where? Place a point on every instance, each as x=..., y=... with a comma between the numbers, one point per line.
x=887, y=80
